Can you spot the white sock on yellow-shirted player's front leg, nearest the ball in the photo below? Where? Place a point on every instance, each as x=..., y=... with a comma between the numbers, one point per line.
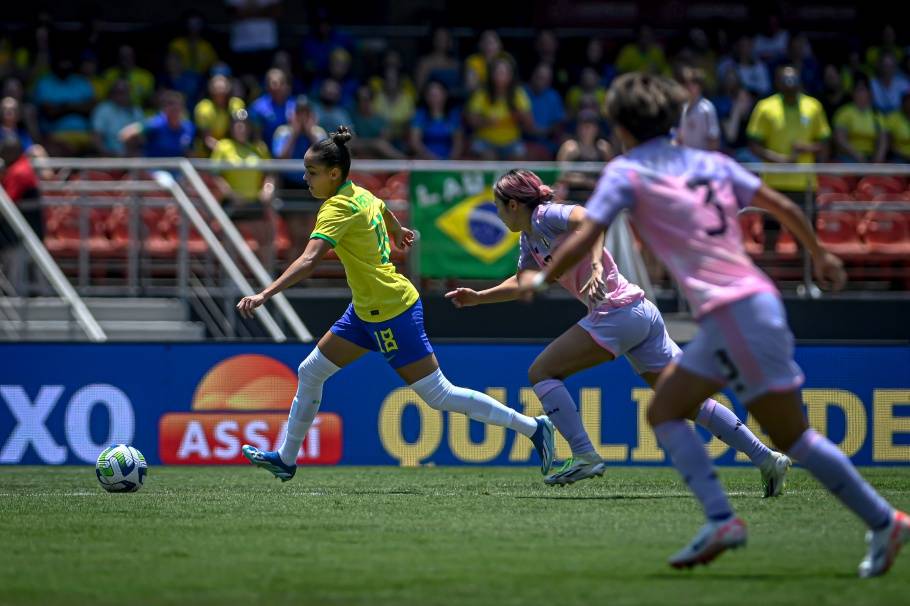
x=311, y=374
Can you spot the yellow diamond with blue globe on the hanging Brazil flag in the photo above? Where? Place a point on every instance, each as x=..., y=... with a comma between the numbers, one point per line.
x=474, y=224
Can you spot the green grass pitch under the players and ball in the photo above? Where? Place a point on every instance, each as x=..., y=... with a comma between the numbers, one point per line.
x=427, y=536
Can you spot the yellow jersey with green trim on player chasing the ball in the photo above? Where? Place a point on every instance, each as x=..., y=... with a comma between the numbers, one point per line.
x=351, y=221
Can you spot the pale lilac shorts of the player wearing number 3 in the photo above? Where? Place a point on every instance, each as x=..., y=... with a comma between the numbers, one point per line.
x=748, y=345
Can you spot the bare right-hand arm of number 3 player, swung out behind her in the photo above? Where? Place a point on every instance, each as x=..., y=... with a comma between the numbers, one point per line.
x=829, y=269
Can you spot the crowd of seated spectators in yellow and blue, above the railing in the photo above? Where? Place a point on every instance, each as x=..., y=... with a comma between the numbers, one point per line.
x=757, y=95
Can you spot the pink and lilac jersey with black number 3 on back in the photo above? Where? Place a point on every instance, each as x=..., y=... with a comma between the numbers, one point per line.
x=684, y=203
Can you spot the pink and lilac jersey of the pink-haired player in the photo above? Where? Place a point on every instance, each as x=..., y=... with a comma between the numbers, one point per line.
x=549, y=227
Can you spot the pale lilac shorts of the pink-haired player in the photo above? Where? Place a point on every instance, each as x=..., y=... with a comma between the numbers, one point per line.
x=635, y=331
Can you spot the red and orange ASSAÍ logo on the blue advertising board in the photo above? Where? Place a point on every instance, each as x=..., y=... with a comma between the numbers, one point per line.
x=243, y=399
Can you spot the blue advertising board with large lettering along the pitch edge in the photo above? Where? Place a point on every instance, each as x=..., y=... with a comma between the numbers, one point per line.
x=197, y=403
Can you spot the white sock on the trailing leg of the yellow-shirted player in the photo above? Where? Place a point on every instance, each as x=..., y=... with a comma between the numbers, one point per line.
x=440, y=394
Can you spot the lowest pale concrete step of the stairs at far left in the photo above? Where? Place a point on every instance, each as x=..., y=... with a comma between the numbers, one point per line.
x=116, y=330
